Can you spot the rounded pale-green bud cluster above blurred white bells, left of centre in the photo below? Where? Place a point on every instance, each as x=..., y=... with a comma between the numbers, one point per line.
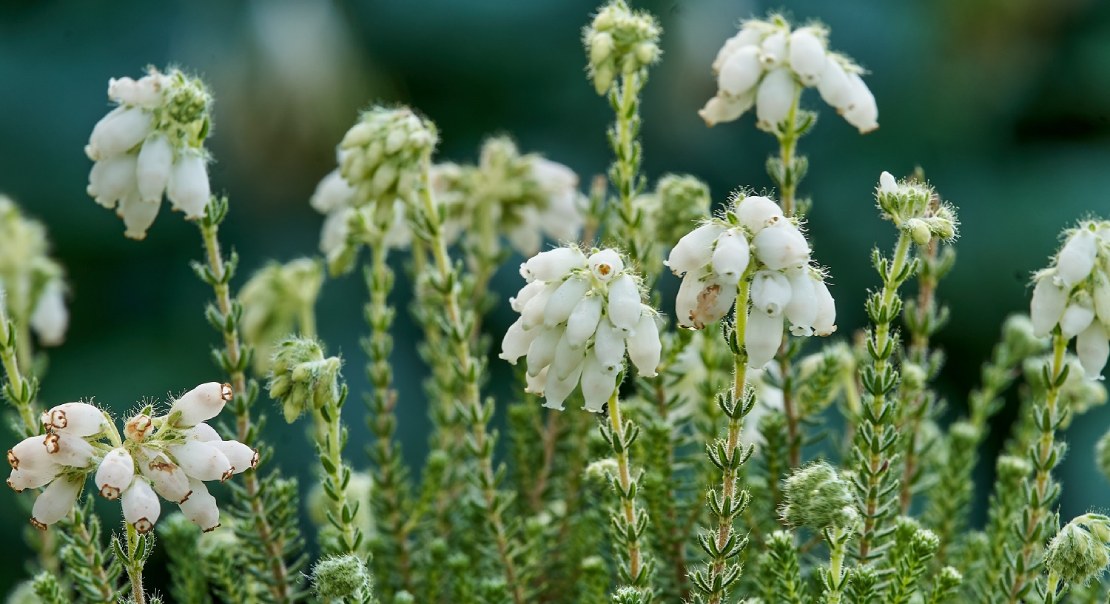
x=381, y=156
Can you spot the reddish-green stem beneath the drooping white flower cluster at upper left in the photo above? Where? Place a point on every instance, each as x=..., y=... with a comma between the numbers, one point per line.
x=218, y=274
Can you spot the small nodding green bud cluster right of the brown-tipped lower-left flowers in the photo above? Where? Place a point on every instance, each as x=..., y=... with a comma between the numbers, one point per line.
x=301, y=379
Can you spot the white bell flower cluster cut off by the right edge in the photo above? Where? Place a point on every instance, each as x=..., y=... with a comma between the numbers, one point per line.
x=1074, y=295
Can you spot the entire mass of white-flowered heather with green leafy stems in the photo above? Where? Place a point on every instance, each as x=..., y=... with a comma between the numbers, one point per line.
x=703, y=437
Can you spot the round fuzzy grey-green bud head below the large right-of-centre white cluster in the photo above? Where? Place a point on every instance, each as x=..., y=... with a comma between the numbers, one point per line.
x=816, y=497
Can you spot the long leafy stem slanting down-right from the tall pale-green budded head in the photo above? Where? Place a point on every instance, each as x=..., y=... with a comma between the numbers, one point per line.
x=448, y=280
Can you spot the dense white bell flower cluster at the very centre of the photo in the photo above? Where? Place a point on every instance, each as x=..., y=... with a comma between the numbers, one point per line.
x=579, y=317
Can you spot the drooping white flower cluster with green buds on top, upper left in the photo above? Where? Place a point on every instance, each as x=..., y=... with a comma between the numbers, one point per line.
x=153, y=143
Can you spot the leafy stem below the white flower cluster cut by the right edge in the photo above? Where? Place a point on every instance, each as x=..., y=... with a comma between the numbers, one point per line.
x=1044, y=457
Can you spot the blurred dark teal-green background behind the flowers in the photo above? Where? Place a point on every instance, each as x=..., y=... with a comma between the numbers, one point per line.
x=1006, y=104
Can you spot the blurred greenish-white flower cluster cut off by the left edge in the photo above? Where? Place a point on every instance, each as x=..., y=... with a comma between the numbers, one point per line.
x=32, y=284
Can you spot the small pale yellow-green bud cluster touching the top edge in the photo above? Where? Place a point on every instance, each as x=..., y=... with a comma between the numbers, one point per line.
x=620, y=42
